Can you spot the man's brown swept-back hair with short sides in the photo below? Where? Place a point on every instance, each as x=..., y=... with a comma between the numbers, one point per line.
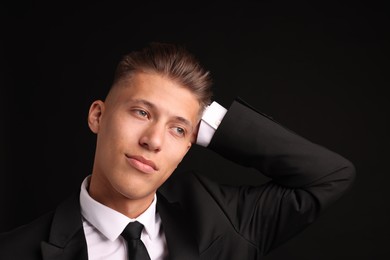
x=172, y=61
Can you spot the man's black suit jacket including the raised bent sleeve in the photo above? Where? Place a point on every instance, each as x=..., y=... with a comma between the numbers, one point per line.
x=204, y=220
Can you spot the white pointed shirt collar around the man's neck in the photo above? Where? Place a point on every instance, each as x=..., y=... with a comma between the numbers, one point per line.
x=111, y=223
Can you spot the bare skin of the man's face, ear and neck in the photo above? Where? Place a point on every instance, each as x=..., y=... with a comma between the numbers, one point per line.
x=144, y=128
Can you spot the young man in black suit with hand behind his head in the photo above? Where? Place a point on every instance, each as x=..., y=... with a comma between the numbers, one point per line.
x=157, y=108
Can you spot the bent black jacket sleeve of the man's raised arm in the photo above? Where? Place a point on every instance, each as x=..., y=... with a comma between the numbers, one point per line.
x=305, y=177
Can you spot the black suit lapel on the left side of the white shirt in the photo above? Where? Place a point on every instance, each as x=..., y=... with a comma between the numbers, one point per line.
x=67, y=239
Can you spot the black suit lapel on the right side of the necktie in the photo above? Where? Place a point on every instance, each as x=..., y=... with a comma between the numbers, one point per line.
x=180, y=238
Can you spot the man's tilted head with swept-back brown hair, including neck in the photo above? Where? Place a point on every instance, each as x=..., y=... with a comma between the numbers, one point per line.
x=146, y=125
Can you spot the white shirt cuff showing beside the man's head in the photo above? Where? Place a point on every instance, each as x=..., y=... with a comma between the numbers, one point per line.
x=212, y=117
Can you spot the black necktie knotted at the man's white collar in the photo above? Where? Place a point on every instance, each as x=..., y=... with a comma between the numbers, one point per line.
x=135, y=247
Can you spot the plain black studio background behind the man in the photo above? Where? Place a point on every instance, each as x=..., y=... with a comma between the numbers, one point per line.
x=318, y=67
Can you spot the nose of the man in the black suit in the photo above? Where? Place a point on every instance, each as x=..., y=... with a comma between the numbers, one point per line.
x=152, y=137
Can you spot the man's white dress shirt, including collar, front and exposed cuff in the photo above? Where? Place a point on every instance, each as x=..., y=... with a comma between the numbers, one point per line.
x=103, y=226
